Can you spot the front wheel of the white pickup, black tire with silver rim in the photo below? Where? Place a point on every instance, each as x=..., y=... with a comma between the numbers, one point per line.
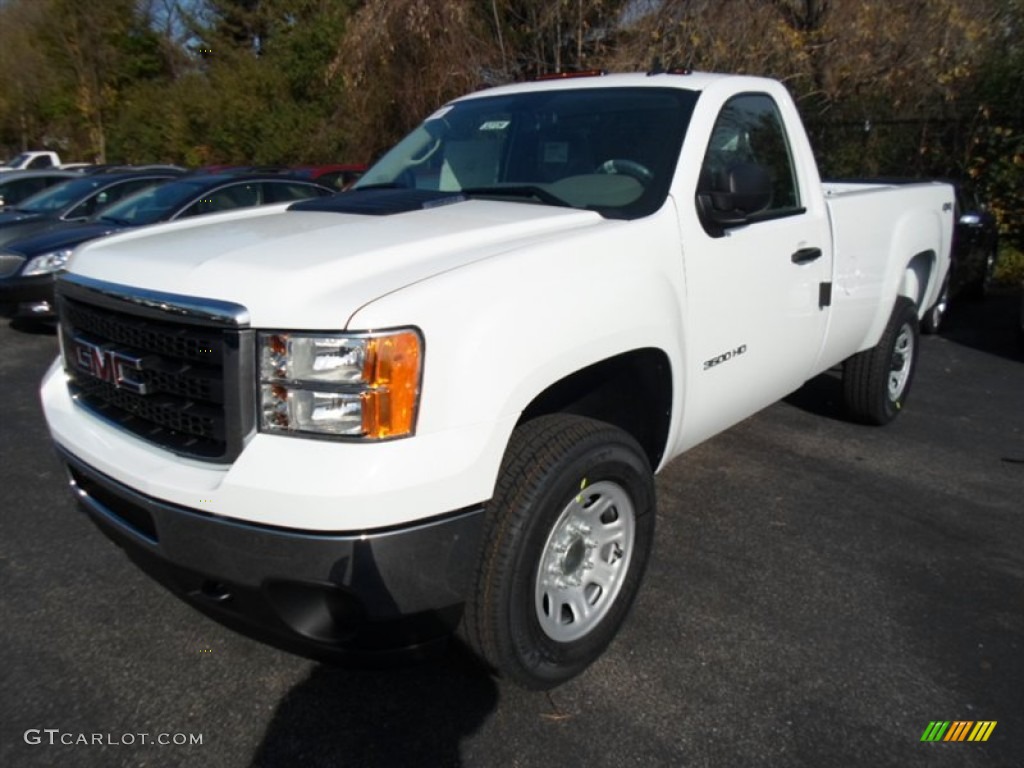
x=569, y=492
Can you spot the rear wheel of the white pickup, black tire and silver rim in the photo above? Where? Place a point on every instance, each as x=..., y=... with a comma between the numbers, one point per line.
x=877, y=382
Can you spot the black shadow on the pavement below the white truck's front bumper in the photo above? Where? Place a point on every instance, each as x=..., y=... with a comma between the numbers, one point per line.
x=399, y=716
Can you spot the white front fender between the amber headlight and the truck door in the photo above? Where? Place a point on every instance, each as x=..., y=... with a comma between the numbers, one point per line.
x=500, y=331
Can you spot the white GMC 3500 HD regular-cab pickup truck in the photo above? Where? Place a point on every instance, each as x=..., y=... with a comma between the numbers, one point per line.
x=438, y=402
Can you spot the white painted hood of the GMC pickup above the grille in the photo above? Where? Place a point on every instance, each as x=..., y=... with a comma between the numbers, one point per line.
x=294, y=269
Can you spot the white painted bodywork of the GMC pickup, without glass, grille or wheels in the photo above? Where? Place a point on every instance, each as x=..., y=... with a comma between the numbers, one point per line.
x=510, y=298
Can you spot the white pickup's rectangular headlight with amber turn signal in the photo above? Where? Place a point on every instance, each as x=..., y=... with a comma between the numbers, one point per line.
x=361, y=386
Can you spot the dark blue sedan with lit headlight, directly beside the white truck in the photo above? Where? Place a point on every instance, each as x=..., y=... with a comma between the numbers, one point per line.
x=28, y=267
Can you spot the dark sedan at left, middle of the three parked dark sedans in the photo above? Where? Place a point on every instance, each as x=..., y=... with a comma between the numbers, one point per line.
x=76, y=200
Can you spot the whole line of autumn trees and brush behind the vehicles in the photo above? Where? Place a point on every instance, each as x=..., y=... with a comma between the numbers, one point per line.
x=906, y=88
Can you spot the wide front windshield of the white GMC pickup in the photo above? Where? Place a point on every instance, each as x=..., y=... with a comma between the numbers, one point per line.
x=610, y=150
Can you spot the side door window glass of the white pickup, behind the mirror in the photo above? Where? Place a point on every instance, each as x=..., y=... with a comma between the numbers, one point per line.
x=749, y=131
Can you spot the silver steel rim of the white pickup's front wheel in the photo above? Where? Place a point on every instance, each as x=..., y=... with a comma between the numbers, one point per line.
x=585, y=562
